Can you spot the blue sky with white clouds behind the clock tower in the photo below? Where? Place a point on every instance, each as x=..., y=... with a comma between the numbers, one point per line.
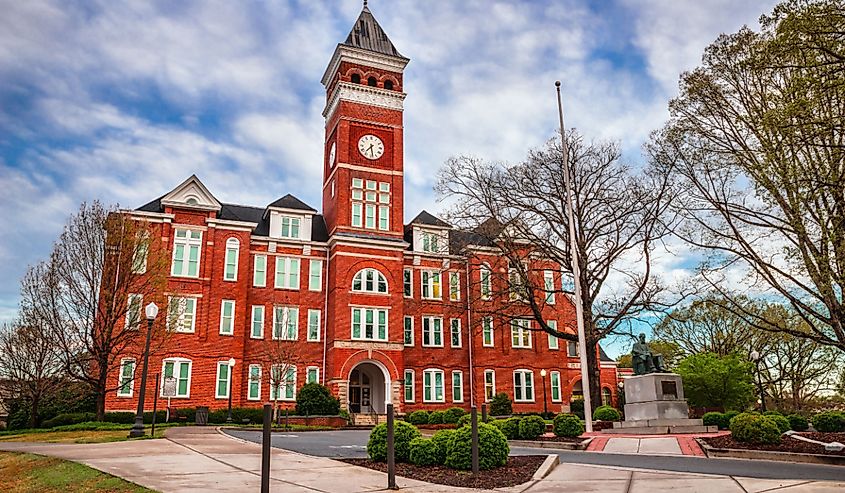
x=121, y=101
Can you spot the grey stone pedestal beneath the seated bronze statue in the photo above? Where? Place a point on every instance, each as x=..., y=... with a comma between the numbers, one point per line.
x=655, y=405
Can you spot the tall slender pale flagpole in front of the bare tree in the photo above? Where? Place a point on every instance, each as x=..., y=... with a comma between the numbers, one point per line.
x=576, y=270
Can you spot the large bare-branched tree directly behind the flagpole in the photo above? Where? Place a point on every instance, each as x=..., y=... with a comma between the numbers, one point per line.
x=519, y=210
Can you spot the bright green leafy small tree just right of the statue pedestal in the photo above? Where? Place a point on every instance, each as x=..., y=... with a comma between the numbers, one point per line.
x=714, y=381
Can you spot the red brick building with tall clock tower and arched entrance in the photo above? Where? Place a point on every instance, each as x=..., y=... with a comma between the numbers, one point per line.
x=376, y=309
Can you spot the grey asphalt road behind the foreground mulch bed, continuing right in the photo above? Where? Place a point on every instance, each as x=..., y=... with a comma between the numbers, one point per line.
x=353, y=444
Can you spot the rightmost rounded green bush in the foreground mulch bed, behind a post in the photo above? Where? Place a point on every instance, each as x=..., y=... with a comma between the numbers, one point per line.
x=492, y=448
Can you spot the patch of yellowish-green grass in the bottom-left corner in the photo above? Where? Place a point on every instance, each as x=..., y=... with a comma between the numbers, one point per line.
x=27, y=473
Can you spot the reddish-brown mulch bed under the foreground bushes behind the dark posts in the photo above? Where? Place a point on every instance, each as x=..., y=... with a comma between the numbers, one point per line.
x=518, y=470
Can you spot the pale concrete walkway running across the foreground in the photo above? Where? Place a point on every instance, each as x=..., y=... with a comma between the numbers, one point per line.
x=201, y=459
